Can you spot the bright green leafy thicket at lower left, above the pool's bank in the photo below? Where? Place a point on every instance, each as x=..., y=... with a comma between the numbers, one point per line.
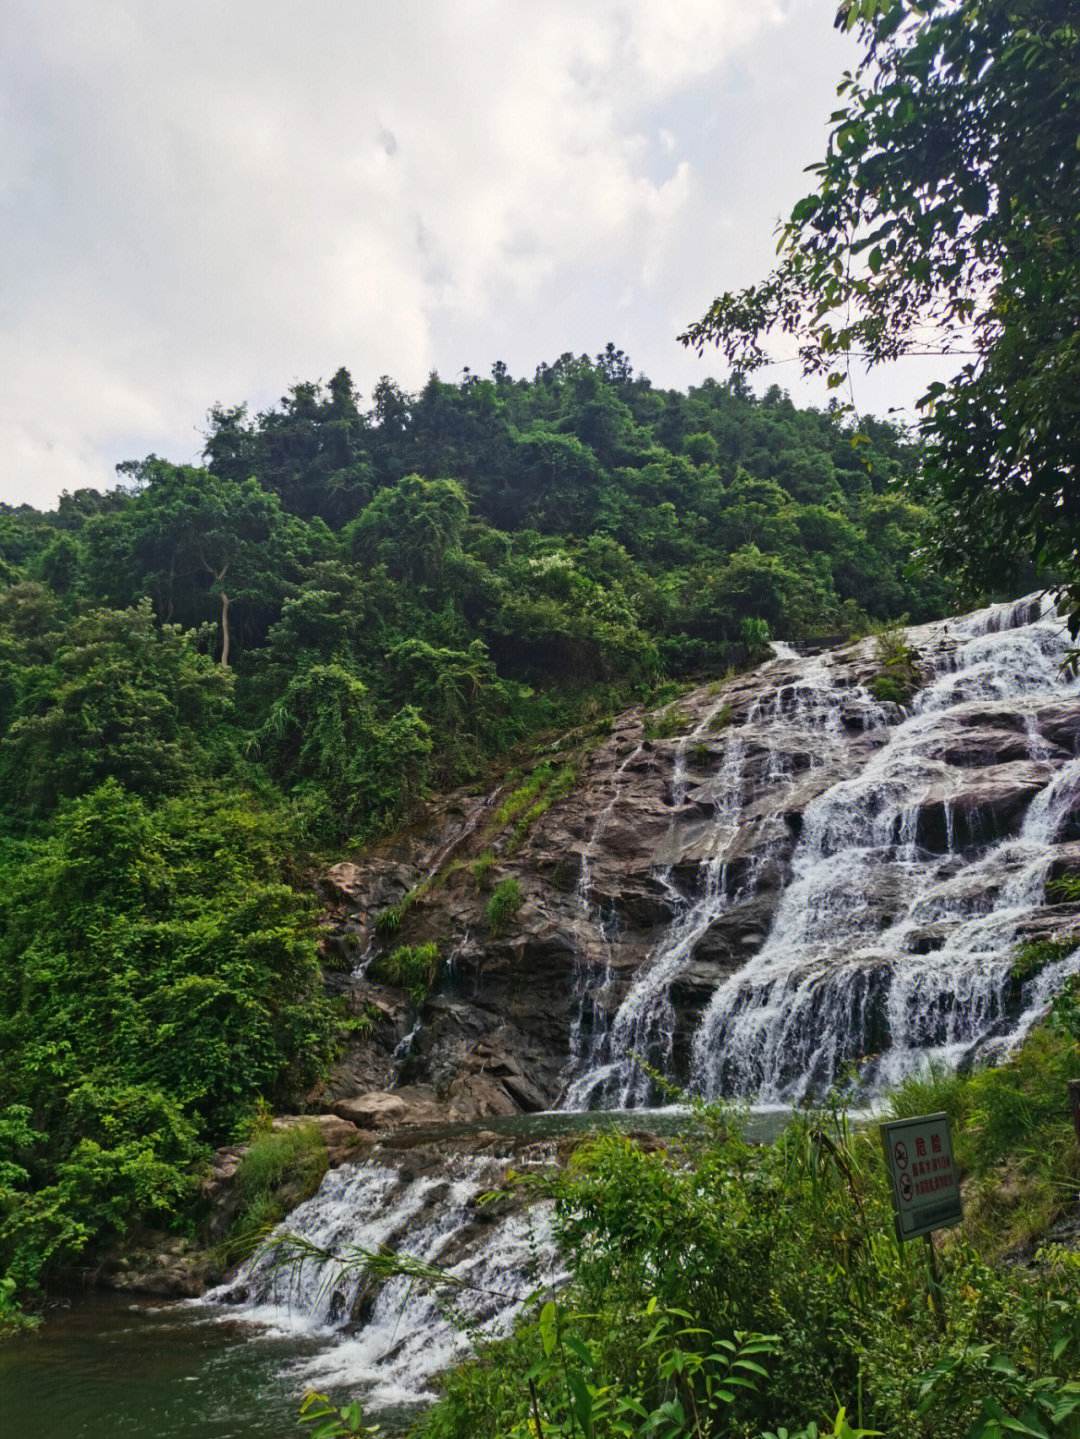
x=157, y=976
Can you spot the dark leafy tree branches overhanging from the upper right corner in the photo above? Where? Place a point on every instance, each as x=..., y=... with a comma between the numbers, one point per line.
x=944, y=222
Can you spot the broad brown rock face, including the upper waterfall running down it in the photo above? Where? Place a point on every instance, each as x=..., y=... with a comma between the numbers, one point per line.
x=763, y=884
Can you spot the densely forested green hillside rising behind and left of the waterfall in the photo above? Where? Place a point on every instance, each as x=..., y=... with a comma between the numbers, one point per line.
x=211, y=673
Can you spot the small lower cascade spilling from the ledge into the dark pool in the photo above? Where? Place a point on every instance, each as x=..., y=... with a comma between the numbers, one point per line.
x=390, y=1339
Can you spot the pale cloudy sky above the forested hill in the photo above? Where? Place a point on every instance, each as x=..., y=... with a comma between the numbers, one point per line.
x=209, y=201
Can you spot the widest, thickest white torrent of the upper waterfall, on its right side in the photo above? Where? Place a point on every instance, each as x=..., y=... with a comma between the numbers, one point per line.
x=924, y=975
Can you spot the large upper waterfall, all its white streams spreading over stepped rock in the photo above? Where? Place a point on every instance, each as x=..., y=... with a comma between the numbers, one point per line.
x=904, y=897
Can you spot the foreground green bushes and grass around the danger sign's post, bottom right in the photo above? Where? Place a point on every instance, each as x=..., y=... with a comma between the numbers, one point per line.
x=774, y=1266
